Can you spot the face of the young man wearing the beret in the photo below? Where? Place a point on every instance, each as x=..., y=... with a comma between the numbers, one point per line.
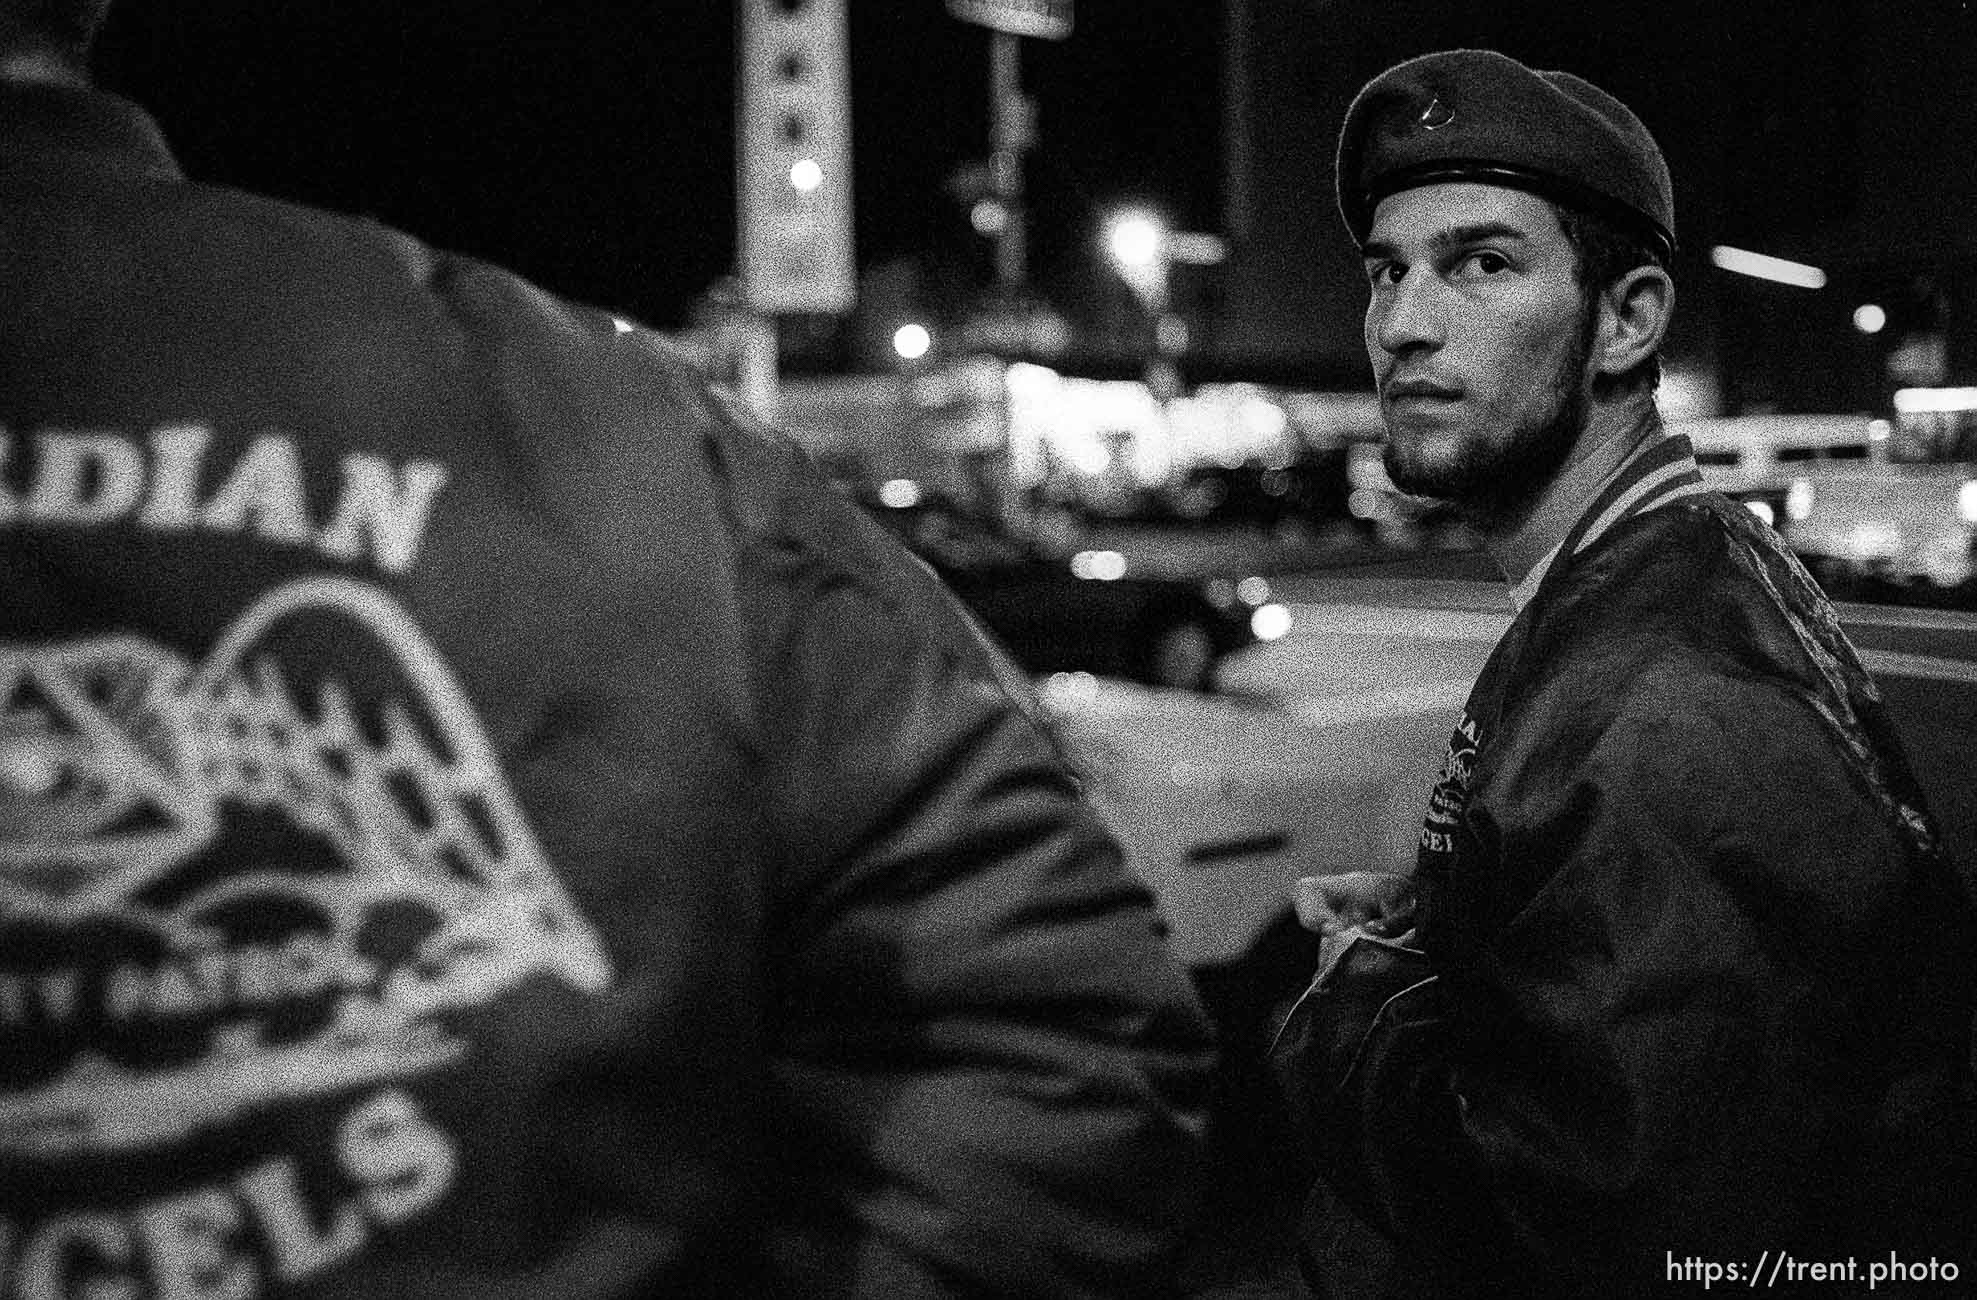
x=1480, y=343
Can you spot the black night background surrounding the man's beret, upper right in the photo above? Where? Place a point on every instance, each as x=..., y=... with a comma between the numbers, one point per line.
x=1842, y=133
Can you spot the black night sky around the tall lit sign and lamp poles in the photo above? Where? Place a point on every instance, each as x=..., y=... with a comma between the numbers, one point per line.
x=590, y=145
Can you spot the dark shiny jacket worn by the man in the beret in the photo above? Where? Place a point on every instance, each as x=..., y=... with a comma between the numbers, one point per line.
x=1693, y=979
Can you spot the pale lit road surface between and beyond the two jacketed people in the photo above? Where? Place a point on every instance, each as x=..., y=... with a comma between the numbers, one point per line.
x=1322, y=748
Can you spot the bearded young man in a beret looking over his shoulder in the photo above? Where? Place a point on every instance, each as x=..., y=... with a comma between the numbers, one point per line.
x=1683, y=973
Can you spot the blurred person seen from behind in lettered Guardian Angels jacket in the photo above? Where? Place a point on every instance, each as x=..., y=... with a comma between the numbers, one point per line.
x=479, y=819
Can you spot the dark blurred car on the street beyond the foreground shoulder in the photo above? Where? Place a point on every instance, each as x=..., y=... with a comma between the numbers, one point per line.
x=1086, y=611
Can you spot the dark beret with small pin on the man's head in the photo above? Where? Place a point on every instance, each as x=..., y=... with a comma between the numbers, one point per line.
x=1486, y=118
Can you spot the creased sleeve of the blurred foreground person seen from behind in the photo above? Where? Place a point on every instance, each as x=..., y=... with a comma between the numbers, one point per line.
x=995, y=1074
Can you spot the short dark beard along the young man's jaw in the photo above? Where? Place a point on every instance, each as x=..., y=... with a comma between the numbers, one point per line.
x=1494, y=481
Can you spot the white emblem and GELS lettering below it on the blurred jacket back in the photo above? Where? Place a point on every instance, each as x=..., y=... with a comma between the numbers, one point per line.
x=270, y=884
